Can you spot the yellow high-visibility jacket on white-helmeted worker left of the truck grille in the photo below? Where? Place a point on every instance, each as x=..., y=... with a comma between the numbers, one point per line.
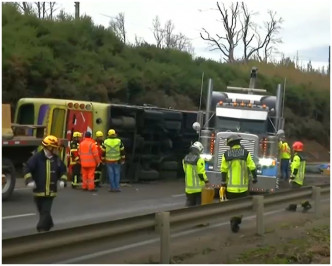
x=194, y=166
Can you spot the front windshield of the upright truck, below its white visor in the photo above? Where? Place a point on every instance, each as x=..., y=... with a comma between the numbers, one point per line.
x=241, y=125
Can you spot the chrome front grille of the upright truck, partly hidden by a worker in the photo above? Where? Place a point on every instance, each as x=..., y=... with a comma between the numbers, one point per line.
x=249, y=142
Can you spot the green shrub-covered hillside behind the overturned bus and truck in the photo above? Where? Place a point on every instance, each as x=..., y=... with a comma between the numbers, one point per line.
x=75, y=59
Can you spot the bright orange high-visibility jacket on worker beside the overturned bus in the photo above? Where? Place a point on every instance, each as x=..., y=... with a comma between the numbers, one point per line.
x=88, y=153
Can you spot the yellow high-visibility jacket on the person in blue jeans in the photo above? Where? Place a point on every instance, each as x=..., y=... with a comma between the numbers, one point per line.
x=113, y=150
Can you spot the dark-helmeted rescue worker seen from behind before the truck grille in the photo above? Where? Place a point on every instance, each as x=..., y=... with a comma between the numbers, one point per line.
x=235, y=163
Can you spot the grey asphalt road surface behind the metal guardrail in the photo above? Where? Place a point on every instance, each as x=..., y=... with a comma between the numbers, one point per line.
x=74, y=207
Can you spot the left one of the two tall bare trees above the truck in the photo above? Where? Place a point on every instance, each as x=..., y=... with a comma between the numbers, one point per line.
x=232, y=36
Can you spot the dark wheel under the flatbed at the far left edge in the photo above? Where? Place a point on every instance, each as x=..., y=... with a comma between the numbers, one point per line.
x=8, y=178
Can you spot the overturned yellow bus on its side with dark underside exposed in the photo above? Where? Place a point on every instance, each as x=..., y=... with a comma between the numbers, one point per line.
x=155, y=139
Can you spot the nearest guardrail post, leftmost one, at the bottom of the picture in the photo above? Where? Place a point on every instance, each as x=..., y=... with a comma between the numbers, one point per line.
x=163, y=227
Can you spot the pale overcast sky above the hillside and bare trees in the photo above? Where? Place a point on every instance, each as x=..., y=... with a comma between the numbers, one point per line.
x=305, y=30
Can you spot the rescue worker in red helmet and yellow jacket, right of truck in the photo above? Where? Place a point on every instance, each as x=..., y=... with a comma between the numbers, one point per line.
x=297, y=166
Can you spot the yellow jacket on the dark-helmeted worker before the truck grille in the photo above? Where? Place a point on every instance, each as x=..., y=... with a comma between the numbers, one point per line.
x=235, y=162
